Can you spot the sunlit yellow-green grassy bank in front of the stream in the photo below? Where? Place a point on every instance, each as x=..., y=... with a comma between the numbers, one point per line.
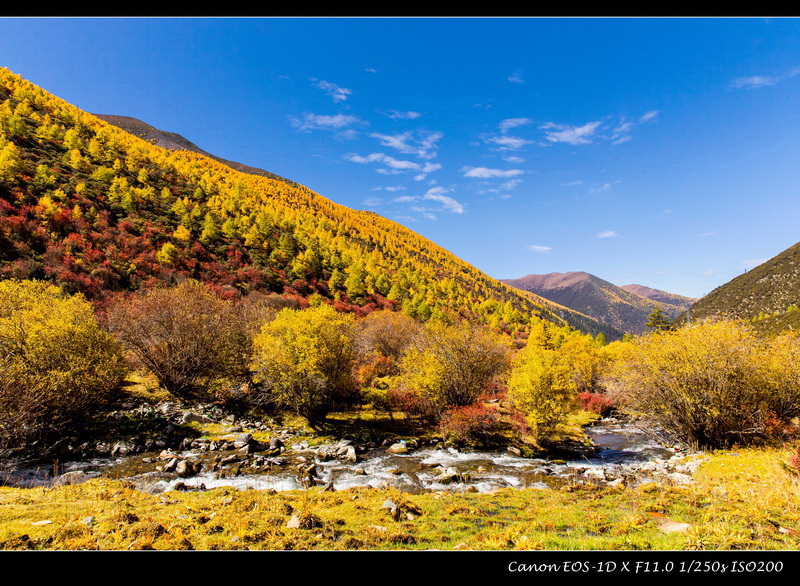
x=742, y=499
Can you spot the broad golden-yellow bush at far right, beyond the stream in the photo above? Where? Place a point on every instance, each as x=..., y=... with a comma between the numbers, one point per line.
x=712, y=384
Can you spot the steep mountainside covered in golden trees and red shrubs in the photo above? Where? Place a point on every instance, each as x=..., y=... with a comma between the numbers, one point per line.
x=101, y=211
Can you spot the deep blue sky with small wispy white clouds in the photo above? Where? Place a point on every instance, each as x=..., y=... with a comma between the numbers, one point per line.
x=661, y=151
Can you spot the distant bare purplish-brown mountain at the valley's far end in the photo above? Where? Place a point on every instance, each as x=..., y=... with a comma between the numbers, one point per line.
x=624, y=308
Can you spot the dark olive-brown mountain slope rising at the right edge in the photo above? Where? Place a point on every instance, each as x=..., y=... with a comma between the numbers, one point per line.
x=768, y=295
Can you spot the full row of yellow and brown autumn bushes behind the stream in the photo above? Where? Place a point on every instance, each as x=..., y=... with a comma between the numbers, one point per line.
x=710, y=383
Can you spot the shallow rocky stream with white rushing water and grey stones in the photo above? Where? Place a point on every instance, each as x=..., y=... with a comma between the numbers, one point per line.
x=624, y=452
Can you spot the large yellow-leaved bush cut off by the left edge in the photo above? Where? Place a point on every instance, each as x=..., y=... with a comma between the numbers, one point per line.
x=58, y=366
